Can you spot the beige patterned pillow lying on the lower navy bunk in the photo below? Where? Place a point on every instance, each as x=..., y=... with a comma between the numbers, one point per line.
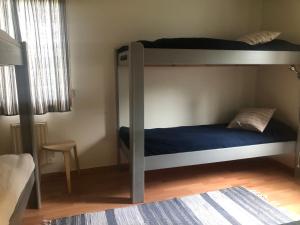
x=255, y=119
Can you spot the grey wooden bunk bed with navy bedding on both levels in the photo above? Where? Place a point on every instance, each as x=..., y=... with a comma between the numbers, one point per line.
x=134, y=140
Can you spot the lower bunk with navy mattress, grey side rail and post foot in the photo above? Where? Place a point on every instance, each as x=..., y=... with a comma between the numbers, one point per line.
x=194, y=145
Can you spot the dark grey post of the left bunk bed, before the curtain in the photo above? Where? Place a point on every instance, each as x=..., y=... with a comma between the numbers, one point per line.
x=27, y=123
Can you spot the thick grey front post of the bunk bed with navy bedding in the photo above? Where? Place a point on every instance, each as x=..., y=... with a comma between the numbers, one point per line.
x=136, y=95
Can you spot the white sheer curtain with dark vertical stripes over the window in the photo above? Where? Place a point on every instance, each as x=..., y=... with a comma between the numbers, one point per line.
x=41, y=23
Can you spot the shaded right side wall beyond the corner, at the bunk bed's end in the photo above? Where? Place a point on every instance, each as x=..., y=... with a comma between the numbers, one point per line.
x=277, y=86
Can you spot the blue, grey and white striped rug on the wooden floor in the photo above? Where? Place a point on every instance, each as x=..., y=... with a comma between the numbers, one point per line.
x=229, y=206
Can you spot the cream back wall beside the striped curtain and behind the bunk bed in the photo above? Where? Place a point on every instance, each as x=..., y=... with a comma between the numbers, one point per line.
x=96, y=28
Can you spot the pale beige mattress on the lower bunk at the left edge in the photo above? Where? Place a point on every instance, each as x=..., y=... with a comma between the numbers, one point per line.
x=15, y=172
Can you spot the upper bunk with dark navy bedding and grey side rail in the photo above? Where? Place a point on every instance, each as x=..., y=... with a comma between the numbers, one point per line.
x=208, y=51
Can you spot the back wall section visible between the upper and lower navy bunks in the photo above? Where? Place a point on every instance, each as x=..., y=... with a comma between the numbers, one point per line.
x=176, y=96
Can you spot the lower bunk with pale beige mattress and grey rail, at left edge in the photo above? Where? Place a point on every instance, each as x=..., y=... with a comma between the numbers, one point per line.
x=16, y=182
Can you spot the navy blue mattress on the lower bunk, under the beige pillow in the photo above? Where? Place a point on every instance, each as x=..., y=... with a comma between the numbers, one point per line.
x=195, y=138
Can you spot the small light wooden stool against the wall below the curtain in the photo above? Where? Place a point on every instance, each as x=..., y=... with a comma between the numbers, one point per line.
x=65, y=148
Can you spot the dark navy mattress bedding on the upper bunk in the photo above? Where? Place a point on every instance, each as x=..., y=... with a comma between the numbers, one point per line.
x=216, y=44
